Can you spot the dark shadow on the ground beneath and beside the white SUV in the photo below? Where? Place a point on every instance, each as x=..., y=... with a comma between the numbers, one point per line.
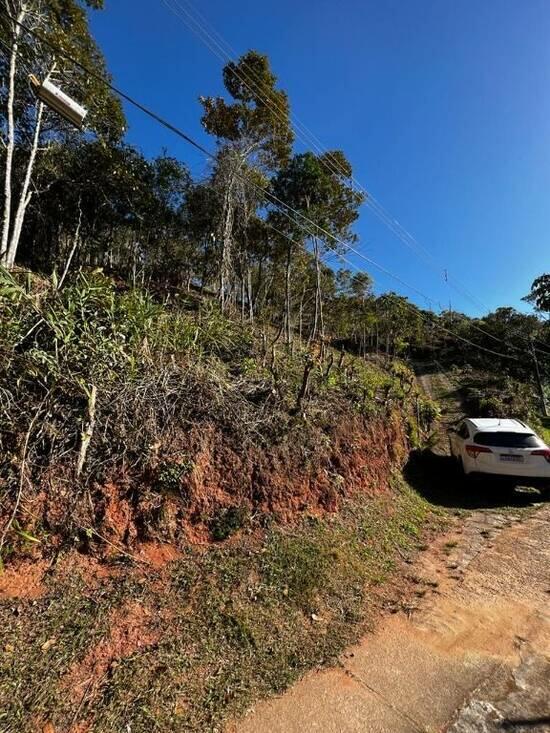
x=437, y=478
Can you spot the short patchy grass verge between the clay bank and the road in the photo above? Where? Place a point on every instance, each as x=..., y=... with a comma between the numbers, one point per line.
x=235, y=623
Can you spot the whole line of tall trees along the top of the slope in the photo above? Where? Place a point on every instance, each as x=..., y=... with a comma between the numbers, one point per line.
x=89, y=200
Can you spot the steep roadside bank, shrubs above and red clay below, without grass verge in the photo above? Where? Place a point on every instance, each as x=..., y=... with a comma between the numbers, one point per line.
x=127, y=419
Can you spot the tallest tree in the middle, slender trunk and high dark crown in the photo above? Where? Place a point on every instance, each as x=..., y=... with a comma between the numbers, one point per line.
x=254, y=137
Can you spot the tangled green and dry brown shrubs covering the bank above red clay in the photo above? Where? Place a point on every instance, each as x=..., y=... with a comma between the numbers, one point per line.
x=157, y=373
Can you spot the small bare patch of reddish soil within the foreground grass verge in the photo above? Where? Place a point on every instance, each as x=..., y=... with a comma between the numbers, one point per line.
x=131, y=628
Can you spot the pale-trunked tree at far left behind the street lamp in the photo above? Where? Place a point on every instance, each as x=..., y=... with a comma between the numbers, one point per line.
x=39, y=37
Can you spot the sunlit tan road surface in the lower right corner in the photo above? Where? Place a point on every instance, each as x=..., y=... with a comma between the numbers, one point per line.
x=474, y=657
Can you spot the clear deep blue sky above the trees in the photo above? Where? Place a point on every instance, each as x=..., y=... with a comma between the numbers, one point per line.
x=443, y=109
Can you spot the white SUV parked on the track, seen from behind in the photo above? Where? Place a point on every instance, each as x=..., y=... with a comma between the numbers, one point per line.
x=501, y=448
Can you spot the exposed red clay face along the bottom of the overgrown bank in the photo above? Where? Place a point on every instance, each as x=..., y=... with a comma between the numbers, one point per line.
x=354, y=455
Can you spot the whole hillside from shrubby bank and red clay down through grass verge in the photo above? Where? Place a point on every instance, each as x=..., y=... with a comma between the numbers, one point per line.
x=184, y=495
